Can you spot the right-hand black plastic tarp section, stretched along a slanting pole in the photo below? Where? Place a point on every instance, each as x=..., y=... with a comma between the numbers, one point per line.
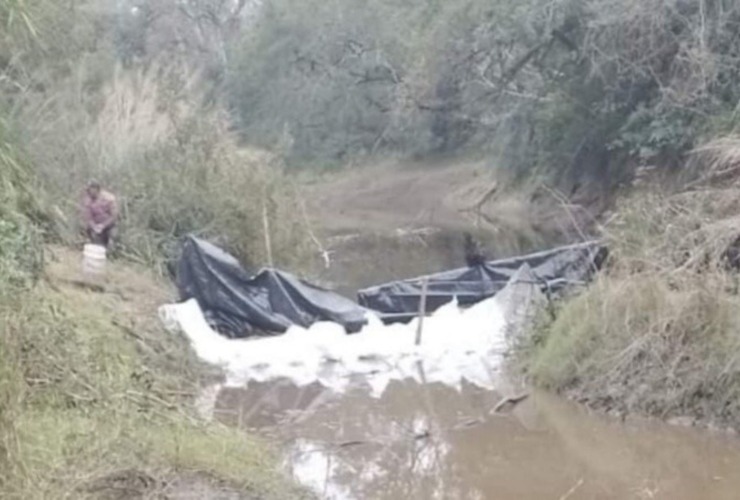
x=552, y=269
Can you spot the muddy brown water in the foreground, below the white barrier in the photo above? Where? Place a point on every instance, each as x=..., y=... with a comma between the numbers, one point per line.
x=434, y=442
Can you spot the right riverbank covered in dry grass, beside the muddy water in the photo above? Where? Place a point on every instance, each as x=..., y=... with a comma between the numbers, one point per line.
x=657, y=334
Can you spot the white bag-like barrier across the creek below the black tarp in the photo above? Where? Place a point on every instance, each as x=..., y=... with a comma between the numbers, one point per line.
x=457, y=345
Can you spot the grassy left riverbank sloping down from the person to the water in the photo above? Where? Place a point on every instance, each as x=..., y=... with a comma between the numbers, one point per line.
x=97, y=399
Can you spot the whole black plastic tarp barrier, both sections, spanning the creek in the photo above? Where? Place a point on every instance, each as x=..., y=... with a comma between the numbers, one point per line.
x=238, y=304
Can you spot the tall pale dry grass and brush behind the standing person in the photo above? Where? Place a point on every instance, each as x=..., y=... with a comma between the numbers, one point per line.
x=172, y=161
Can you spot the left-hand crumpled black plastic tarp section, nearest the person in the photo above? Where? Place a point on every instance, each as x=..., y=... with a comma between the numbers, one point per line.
x=238, y=304
